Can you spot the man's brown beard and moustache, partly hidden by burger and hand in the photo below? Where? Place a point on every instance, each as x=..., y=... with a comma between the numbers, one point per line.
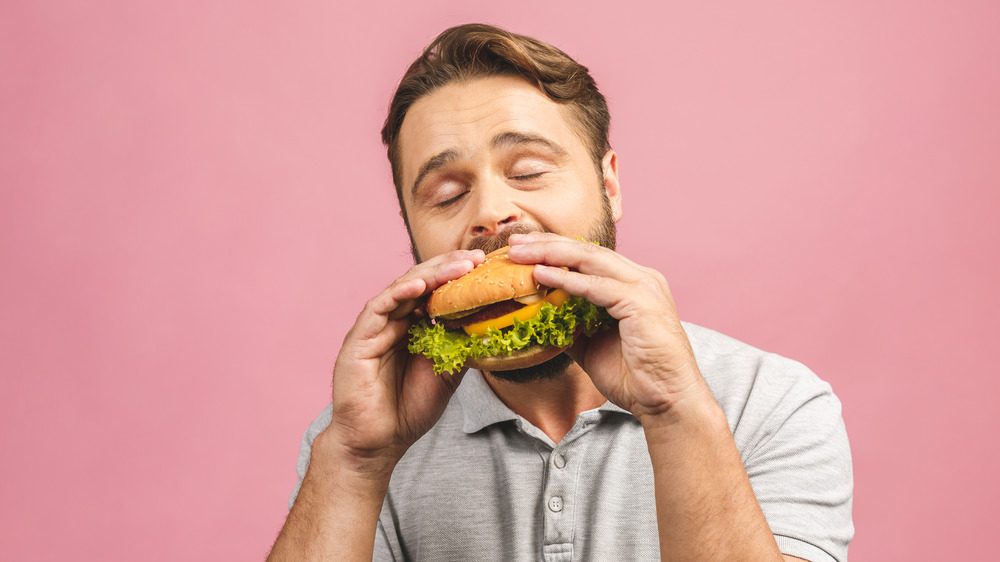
x=604, y=233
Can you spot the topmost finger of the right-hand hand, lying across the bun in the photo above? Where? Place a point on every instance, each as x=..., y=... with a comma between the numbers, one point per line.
x=544, y=248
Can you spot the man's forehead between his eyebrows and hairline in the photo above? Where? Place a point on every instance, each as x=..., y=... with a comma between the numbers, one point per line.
x=465, y=116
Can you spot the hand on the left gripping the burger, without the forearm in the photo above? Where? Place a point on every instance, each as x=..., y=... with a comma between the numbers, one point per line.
x=384, y=399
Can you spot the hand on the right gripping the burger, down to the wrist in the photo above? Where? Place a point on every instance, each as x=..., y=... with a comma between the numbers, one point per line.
x=644, y=363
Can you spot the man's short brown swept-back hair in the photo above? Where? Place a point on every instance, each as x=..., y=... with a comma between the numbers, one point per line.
x=472, y=51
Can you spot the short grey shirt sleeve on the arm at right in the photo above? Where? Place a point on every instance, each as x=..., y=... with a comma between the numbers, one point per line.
x=796, y=453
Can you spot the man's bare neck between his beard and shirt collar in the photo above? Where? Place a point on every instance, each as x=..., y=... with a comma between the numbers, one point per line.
x=550, y=404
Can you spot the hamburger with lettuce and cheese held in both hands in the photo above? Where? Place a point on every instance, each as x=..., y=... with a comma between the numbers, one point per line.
x=497, y=318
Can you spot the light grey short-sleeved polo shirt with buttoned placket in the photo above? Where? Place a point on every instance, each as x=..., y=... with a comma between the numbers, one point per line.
x=485, y=484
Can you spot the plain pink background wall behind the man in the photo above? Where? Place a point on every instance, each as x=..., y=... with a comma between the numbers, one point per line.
x=195, y=205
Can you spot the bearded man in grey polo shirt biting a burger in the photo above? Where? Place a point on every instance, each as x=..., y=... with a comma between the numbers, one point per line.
x=653, y=438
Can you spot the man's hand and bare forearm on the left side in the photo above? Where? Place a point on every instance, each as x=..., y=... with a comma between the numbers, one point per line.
x=384, y=399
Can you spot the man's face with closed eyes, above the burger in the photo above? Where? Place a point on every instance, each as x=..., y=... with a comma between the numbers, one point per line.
x=484, y=158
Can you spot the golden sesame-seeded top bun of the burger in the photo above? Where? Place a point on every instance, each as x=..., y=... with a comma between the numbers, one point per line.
x=496, y=279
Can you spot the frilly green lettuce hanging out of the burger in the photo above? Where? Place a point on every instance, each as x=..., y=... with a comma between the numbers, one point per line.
x=550, y=327
